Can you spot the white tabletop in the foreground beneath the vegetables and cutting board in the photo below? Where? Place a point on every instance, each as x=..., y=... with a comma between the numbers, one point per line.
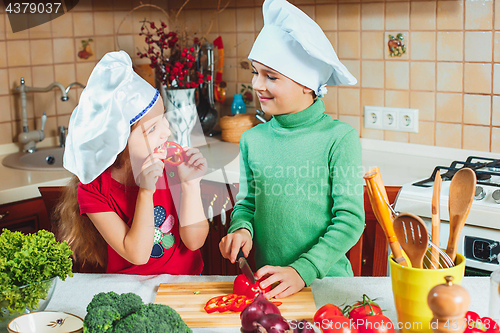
x=69, y=296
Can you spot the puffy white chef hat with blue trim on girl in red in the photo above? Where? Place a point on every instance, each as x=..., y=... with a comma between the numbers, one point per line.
x=115, y=98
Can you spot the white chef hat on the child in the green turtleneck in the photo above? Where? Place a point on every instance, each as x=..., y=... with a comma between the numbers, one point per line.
x=294, y=45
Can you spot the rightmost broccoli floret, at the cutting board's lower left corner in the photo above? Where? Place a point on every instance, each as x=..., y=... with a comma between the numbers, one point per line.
x=161, y=318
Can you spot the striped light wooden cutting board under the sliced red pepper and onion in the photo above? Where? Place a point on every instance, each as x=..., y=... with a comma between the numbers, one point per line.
x=182, y=297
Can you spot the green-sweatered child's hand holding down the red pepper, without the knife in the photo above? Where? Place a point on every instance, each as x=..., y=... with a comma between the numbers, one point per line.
x=289, y=280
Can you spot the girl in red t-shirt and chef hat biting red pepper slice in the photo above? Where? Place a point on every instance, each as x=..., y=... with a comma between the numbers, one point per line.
x=121, y=199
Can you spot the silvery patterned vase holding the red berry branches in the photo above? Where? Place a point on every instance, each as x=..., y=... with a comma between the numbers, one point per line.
x=181, y=113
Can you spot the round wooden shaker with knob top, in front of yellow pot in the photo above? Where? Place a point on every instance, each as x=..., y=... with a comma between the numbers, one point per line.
x=449, y=303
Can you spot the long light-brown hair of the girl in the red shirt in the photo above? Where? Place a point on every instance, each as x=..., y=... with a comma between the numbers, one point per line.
x=89, y=248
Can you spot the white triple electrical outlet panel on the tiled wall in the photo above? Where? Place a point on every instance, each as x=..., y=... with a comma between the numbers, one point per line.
x=391, y=119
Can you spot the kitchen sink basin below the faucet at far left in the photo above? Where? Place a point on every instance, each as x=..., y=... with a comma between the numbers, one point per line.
x=44, y=159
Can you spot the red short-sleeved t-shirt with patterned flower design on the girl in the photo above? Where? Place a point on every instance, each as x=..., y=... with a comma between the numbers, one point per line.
x=169, y=255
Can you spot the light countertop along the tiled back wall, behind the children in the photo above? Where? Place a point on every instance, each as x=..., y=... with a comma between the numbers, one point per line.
x=399, y=163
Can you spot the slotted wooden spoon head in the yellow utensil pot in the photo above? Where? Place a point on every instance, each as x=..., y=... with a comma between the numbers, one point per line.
x=413, y=237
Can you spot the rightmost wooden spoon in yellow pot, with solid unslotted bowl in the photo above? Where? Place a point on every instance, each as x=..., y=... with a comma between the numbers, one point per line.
x=460, y=197
